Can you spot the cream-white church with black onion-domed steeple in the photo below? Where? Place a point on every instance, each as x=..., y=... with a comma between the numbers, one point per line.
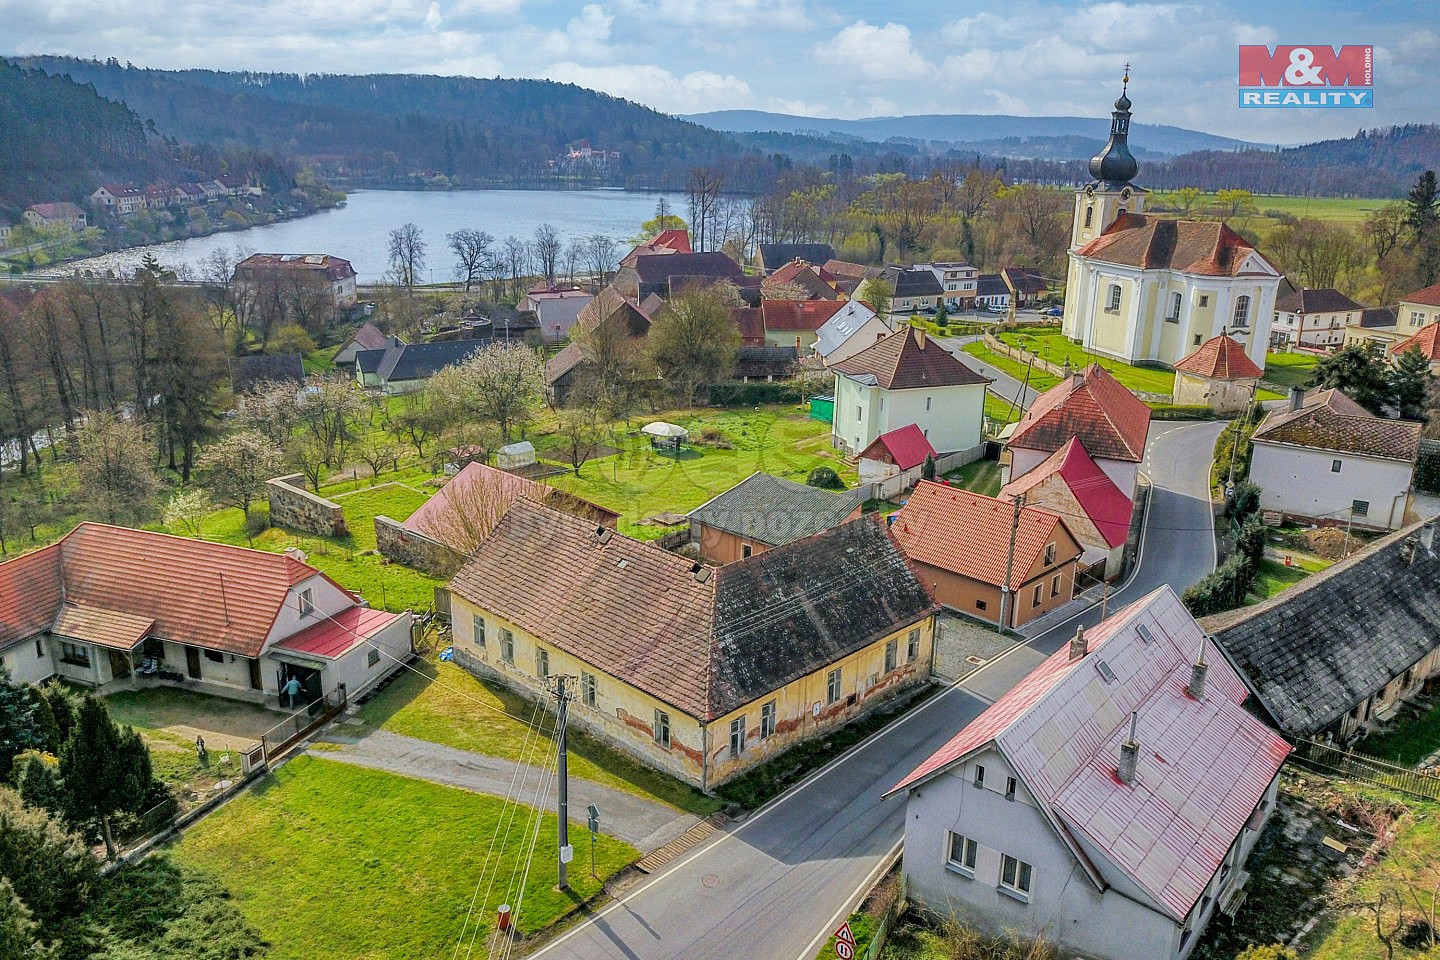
x=1151, y=290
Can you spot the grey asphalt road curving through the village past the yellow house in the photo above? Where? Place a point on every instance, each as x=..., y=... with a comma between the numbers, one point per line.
x=777, y=883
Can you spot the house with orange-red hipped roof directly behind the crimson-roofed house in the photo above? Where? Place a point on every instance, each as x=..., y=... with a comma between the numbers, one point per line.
x=1092, y=405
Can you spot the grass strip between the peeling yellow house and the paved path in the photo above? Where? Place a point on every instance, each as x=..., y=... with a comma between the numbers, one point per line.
x=447, y=713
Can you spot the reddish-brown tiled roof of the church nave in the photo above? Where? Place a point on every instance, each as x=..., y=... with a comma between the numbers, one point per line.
x=1194, y=247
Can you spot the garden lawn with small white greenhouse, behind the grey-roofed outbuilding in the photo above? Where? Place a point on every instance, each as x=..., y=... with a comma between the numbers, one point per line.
x=640, y=483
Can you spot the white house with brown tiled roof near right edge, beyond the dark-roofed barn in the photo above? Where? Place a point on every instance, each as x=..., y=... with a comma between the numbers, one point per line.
x=1326, y=458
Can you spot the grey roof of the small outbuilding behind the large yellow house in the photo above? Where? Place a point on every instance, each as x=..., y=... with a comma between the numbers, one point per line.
x=775, y=512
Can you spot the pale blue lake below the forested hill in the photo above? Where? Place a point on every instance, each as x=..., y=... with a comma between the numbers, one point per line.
x=361, y=231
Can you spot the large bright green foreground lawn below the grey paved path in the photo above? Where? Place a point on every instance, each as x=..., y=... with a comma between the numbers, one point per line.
x=336, y=861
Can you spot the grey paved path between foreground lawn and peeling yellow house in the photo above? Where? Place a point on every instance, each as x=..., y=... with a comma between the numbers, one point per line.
x=643, y=824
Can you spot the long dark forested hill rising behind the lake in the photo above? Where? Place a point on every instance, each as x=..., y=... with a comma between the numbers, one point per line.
x=391, y=127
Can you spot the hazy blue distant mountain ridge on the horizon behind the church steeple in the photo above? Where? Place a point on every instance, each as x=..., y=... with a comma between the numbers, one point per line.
x=976, y=133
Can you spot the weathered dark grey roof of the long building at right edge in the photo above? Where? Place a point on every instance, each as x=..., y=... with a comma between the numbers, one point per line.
x=1326, y=646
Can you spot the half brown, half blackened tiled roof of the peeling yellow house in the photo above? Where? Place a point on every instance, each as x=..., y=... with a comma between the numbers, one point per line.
x=705, y=646
